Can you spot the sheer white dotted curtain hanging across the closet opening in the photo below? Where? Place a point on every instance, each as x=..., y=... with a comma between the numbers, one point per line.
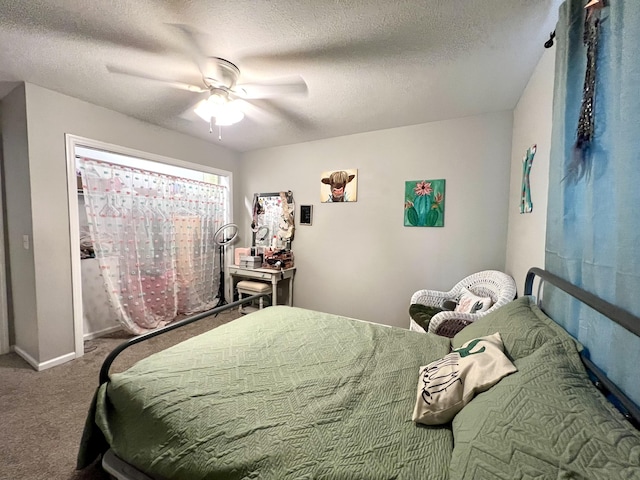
x=153, y=237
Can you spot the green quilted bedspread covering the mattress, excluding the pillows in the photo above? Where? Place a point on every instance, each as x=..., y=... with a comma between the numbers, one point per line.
x=283, y=393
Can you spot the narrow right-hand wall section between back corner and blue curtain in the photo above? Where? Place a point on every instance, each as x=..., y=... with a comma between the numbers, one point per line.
x=531, y=125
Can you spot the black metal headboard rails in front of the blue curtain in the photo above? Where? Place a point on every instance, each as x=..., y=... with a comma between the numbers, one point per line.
x=627, y=320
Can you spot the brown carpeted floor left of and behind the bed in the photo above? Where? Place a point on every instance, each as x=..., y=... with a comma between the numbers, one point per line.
x=43, y=413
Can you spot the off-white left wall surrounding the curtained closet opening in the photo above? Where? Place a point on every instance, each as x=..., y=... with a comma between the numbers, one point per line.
x=49, y=116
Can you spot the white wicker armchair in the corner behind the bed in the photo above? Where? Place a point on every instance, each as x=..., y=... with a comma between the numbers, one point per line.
x=489, y=283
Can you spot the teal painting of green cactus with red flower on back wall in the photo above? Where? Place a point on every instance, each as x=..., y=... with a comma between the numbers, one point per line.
x=424, y=203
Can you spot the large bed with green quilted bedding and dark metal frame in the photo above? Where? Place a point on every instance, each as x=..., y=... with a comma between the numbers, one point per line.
x=288, y=393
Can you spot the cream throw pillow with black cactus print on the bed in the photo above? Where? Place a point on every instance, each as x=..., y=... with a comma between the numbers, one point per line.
x=448, y=384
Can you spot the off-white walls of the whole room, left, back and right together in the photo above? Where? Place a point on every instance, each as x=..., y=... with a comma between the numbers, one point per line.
x=357, y=259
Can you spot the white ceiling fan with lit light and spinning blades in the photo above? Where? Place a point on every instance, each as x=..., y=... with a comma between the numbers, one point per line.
x=226, y=100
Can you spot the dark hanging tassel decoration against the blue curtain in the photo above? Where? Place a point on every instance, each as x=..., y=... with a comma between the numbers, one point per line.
x=580, y=163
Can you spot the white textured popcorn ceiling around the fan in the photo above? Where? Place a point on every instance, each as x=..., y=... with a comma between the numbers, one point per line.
x=368, y=64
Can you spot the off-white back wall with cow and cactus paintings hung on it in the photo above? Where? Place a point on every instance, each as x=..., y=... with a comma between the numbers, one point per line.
x=357, y=259
